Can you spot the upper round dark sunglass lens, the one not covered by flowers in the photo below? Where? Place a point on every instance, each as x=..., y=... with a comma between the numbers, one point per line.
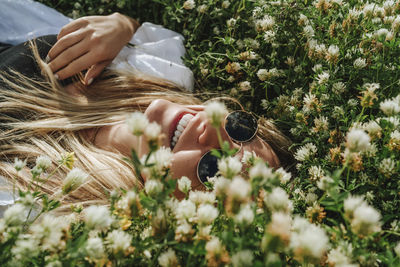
x=241, y=126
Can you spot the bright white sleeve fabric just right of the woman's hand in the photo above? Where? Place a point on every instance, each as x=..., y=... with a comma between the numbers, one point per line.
x=158, y=52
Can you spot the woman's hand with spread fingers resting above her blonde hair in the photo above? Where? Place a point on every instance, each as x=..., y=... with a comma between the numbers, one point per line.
x=90, y=43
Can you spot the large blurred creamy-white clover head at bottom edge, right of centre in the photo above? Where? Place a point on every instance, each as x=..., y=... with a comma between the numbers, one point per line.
x=308, y=240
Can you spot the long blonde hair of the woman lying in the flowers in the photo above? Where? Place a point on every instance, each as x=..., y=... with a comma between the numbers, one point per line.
x=40, y=118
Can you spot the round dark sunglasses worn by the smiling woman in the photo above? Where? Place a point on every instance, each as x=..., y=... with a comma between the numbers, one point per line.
x=241, y=127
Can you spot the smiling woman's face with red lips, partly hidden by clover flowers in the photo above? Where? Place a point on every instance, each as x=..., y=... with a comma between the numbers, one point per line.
x=198, y=137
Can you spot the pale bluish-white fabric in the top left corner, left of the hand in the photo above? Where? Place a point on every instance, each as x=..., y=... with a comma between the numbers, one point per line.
x=22, y=20
